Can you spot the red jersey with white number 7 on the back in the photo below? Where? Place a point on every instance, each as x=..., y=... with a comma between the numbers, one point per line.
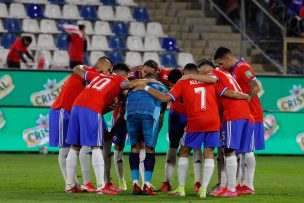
x=200, y=104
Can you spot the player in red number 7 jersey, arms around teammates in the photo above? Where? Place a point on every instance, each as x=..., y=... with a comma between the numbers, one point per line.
x=202, y=122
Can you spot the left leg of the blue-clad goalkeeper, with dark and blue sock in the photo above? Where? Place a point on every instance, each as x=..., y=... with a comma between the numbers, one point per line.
x=133, y=128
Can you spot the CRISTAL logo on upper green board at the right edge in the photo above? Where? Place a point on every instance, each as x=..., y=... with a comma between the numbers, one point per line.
x=294, y=102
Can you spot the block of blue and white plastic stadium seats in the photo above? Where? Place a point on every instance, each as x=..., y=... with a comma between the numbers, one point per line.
x=119, y=29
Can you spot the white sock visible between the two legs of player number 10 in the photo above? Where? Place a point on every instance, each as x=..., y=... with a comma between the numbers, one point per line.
x=85, y=163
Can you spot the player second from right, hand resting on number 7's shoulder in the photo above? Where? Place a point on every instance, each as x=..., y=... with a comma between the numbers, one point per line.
x=235, y=123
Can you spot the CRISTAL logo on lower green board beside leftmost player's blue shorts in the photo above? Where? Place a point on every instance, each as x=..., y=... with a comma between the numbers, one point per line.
x=38, y=135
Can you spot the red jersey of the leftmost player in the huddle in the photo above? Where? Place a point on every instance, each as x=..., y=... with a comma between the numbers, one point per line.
x=70, y=91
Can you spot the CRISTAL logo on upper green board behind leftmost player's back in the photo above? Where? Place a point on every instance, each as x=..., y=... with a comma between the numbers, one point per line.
x=47, y=97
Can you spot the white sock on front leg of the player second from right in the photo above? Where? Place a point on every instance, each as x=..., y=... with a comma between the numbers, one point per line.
x=231, y=168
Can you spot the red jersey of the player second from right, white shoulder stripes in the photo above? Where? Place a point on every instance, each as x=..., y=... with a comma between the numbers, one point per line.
x=233, y=109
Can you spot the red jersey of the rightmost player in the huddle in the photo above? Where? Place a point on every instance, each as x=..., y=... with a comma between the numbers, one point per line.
x=243, y=74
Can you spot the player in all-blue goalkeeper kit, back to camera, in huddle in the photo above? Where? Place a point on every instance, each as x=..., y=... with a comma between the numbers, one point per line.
x=143, y=115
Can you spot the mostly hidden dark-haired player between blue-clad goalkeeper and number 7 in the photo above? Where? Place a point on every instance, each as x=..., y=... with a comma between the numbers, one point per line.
x=177, y=124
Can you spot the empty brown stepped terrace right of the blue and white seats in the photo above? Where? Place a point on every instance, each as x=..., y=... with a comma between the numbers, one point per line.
x=201, y=35
